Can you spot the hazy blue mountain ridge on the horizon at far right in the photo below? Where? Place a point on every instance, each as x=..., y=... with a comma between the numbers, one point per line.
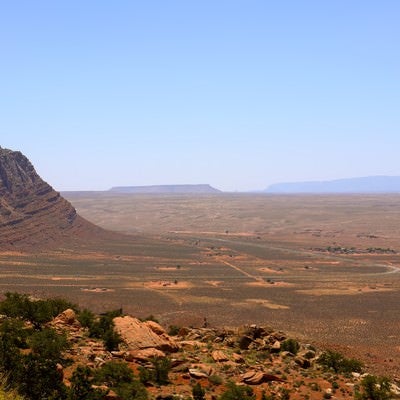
x=369, y=184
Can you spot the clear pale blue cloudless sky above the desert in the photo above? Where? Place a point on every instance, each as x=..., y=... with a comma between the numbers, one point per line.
x=239, y=94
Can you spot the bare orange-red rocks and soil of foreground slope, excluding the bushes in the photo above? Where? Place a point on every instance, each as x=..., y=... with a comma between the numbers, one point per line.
x=273, y=365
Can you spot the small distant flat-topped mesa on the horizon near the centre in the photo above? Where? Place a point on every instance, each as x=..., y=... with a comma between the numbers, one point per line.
x=164, y=189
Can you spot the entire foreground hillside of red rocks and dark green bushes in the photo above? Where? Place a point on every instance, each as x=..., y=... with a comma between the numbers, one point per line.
x=51, y=349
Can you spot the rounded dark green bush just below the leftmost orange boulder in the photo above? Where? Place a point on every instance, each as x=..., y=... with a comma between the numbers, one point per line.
x=48, y=344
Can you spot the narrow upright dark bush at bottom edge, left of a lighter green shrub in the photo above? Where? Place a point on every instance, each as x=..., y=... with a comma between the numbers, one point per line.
x=81, y=386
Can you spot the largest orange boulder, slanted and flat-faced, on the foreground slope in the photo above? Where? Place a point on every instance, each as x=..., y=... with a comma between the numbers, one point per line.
x=139, y=335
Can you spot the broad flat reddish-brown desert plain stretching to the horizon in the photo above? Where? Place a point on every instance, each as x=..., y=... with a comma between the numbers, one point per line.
x=325, y=268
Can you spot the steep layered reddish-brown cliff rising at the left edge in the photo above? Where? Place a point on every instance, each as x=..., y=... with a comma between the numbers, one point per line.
x=31, y=211
